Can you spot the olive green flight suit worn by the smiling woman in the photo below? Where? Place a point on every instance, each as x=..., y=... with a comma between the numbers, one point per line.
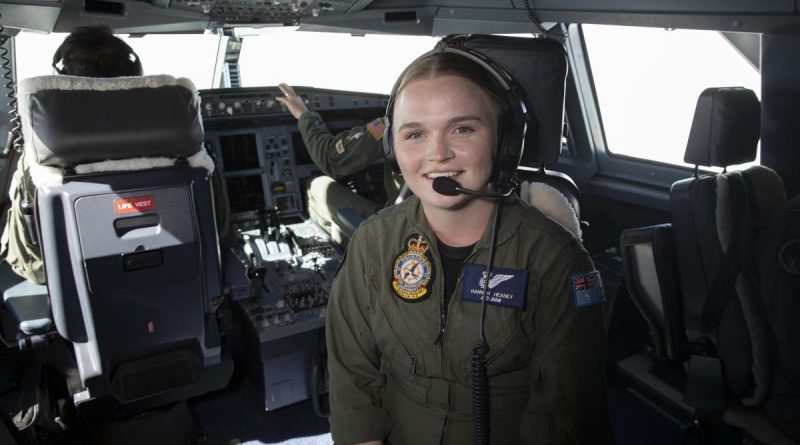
x=397, y=375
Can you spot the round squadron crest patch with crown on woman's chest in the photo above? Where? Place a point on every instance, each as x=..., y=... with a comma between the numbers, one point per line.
x=413, y=270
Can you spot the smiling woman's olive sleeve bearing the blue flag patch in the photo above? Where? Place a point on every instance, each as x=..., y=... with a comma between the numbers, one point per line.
x=568, y=396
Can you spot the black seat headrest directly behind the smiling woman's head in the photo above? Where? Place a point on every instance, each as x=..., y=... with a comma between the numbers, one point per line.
x=539, y=66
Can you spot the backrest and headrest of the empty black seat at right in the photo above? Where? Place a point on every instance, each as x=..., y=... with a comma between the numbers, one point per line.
x=713, y=216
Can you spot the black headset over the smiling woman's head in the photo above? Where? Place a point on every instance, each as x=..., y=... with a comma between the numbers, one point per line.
x=511, y=123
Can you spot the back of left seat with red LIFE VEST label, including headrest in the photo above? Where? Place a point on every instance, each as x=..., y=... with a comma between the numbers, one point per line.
x=127, y=230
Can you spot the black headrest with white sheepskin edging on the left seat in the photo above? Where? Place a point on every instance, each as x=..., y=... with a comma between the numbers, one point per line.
x=70, y=120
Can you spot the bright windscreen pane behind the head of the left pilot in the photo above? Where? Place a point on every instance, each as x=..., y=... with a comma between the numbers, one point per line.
x=182, y=55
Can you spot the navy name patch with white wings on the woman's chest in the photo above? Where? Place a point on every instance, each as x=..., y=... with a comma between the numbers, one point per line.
x=507, y=287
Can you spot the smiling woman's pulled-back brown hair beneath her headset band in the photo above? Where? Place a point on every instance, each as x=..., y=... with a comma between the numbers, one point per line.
x=446, y=63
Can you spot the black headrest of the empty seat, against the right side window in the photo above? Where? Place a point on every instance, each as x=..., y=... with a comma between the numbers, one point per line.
x=725, y=129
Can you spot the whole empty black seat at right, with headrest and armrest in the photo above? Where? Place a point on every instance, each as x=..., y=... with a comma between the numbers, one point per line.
x=721, y=329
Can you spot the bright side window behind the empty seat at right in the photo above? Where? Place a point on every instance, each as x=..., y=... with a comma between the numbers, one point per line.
x=647, y=82
